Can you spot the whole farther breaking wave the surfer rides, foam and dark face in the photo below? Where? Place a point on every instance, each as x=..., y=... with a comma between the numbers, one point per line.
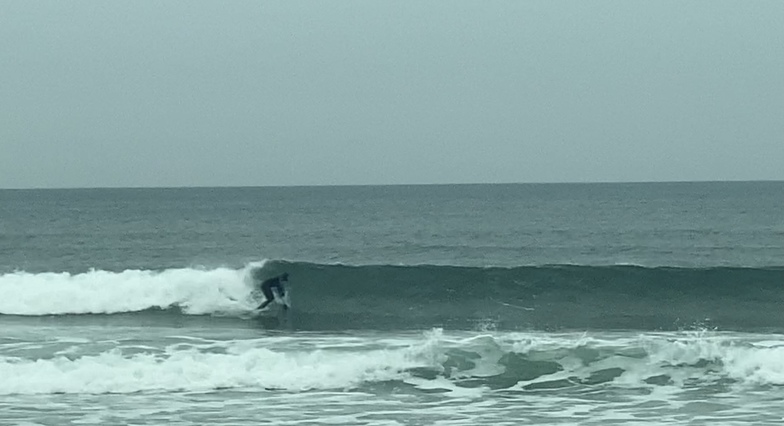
x=387, y=297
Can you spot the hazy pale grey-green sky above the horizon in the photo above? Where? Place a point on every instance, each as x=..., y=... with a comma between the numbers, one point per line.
x=267, y=93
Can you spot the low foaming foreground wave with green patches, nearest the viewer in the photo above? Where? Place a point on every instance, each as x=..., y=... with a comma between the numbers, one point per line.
x=432, y=362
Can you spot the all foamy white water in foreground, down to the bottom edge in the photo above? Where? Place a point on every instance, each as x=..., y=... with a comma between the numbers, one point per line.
x=474, y=377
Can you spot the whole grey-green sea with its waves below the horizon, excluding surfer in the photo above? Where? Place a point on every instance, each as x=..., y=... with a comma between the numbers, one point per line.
x=589, y=304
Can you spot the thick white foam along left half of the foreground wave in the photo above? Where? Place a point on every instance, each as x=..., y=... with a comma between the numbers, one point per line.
x=192, y=370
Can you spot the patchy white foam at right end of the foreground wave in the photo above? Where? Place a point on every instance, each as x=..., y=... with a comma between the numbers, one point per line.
x=681, y=356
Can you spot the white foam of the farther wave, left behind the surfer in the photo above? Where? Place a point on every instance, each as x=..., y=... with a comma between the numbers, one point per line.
x=195, y=291
